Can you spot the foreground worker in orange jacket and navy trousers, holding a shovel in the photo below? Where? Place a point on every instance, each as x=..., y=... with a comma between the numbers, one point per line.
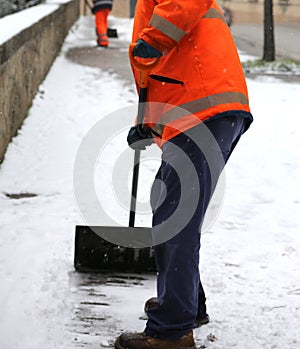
x=197, y=110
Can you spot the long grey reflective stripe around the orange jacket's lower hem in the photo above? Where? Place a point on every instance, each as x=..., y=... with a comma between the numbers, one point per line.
x=199, y=105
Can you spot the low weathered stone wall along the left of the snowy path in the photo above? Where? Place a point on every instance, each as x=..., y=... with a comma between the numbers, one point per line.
x=25, y=60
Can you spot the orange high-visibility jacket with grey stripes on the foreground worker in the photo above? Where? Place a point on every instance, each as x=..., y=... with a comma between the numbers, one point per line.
x=199, y=73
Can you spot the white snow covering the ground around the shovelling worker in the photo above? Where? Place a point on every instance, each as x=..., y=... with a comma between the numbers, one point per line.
x=250, y=256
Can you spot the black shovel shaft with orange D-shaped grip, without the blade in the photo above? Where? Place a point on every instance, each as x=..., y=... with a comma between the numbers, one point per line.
x=144, y=69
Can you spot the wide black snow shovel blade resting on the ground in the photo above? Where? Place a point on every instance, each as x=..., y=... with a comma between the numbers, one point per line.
x=94, y=251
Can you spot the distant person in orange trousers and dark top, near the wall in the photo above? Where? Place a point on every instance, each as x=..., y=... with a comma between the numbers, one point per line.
x=101, y=10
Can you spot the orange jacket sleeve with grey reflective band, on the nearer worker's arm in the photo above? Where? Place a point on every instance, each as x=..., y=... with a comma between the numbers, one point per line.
x=171, y=21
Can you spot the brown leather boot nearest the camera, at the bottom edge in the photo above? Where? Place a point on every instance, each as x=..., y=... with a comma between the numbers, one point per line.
x=141, y=341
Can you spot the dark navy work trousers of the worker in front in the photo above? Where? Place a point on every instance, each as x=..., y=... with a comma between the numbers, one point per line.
x=191, y=165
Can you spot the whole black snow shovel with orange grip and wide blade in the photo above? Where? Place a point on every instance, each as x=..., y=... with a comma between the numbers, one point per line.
x=94, y=253
